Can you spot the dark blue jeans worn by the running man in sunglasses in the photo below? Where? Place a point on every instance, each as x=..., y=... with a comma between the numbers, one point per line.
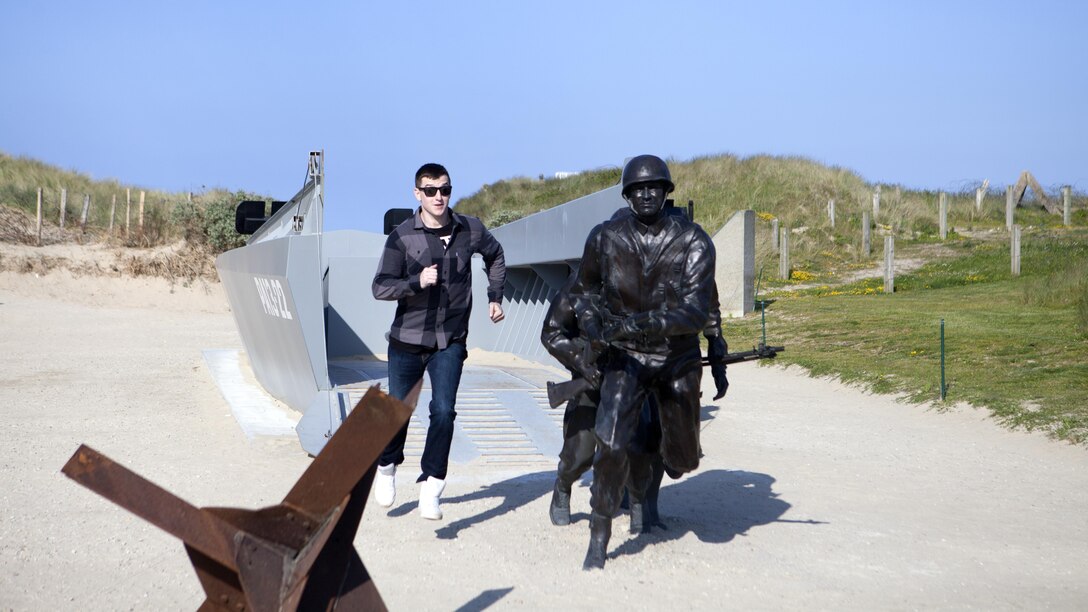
x=444, y=366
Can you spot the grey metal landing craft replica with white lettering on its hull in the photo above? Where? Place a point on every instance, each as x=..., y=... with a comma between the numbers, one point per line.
x=312, y=329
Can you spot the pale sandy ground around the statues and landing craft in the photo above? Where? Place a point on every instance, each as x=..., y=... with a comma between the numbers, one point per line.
x=812, y=495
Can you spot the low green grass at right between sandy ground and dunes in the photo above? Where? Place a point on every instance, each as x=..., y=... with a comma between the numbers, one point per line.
x=1017, y=346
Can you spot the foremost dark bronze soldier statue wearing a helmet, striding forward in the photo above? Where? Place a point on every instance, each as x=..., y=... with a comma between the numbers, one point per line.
x=644, y=295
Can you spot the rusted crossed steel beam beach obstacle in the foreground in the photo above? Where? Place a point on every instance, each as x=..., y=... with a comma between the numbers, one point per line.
x=299, y=555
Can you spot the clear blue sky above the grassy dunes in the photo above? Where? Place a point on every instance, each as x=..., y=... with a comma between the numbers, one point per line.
x=183, y=95
